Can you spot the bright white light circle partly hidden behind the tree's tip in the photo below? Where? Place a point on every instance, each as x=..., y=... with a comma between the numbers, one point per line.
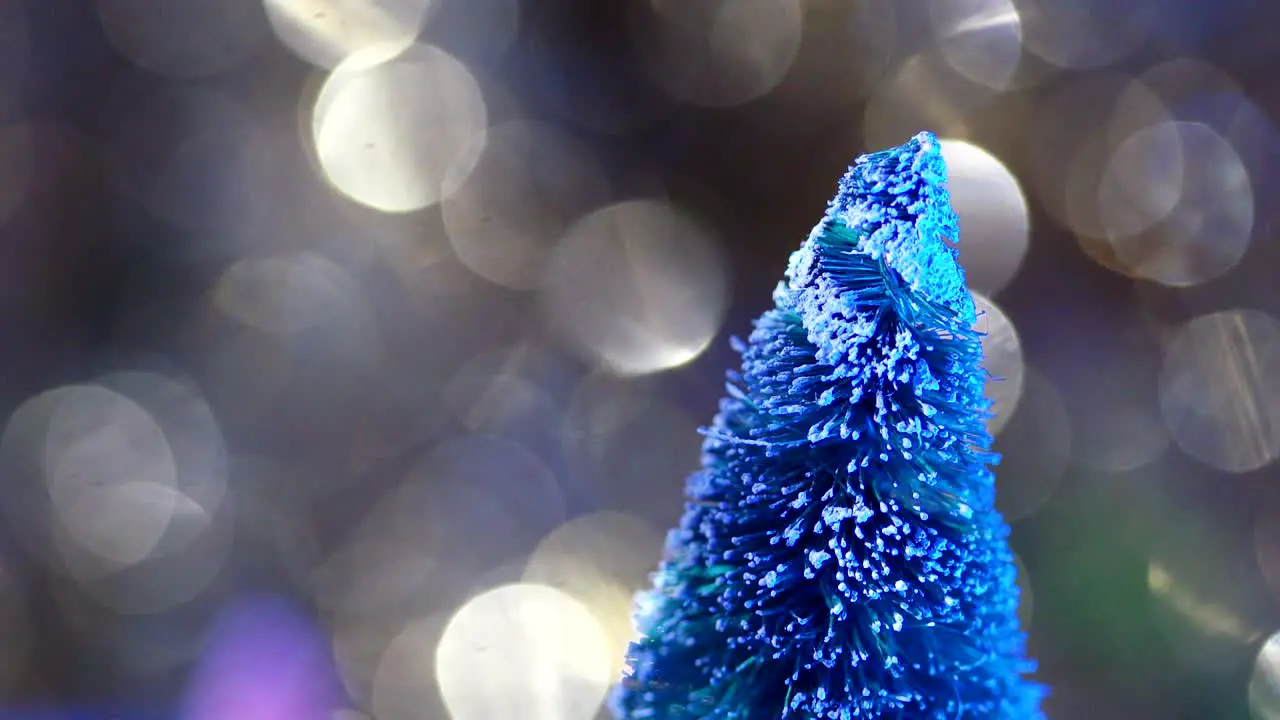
x=994, y=218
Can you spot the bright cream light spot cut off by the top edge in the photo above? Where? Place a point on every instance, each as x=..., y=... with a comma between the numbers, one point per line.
x=326, y=33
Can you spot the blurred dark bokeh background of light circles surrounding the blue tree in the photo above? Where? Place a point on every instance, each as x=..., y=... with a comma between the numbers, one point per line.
x=355, y=352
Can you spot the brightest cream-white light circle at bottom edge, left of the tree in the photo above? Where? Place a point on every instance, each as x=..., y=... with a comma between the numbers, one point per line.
x=524, y=651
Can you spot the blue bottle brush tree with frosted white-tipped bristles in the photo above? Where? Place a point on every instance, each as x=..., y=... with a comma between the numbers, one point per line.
x=840, y=554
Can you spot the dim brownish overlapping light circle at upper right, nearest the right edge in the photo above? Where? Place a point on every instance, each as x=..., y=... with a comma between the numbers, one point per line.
x=1200, y=222
